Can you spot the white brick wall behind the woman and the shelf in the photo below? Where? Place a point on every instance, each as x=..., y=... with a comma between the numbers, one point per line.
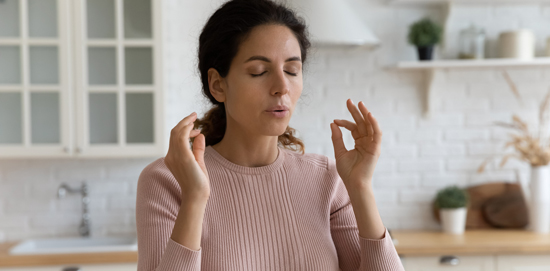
x=419, y=156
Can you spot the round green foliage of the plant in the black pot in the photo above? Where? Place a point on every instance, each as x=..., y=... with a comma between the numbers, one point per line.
x=425, y=33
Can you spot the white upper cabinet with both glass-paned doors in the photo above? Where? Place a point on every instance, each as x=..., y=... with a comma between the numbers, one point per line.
x=80, y=78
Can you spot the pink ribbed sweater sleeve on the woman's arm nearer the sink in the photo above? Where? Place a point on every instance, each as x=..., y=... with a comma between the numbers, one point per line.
x=157, y=206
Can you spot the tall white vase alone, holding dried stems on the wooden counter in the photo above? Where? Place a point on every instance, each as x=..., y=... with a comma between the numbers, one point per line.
x=539, y=199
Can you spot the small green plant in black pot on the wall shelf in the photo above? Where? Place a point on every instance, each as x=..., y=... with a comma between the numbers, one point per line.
x=424, y=34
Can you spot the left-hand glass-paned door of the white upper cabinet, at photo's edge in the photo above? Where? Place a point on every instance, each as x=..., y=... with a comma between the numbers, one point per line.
x=34, y=90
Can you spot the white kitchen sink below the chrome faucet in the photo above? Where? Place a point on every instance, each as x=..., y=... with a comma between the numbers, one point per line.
x=74, y=245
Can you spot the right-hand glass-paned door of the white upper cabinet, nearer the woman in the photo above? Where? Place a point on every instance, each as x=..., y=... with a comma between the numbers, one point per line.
x=120, y=91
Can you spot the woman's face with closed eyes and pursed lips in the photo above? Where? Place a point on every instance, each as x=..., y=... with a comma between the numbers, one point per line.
x=266, y=72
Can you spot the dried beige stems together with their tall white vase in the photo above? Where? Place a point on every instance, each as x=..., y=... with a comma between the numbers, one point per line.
x=535, y=150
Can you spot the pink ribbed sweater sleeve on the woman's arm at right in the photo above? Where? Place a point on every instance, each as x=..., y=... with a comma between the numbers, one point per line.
x=355, y=252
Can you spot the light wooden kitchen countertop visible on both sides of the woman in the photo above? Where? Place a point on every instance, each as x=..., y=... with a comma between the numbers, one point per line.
x=407, y=243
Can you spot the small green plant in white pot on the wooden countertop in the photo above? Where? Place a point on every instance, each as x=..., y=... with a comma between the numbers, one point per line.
x=452, y=202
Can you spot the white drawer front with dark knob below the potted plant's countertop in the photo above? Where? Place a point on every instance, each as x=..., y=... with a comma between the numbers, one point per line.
x=465, y=263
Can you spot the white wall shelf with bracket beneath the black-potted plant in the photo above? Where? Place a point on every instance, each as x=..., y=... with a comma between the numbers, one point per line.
x=431, y=67
